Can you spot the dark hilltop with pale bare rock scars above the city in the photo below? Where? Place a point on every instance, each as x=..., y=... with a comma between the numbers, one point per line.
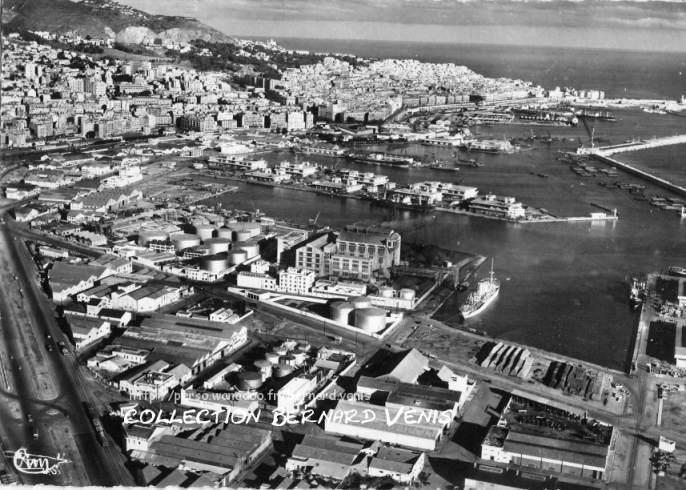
x=104, y=18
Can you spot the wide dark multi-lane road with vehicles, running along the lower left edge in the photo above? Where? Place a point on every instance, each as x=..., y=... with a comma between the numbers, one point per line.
x=45, y=388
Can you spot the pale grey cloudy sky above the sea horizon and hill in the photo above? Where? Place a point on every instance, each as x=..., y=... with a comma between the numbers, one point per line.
x=611, y=24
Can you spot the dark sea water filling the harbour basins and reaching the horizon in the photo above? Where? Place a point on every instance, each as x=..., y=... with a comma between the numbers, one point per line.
x=564, y=286
